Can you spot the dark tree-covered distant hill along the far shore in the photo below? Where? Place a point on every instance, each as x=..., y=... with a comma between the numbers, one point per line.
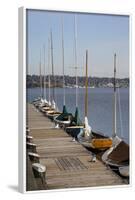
x=34, y=81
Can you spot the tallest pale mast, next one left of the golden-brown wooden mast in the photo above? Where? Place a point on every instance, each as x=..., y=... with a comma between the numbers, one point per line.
x=75, y=35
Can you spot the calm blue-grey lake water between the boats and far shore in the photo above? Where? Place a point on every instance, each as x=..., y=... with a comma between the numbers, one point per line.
x=100, y=107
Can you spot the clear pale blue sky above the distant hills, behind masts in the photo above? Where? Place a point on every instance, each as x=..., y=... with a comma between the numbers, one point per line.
x=102, y=35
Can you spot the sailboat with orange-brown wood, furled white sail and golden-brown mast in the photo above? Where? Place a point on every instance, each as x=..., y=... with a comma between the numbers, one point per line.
x=87, y=137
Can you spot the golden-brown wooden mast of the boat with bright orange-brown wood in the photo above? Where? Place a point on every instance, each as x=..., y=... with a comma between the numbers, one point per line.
x=86, y=86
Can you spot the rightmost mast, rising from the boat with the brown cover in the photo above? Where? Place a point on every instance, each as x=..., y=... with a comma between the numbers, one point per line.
x=114, y=109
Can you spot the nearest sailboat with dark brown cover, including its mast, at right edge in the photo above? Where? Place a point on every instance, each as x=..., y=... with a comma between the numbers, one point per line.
x=118, y=154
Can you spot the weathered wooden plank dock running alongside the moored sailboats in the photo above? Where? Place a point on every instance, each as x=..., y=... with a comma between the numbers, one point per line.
x=68, y=163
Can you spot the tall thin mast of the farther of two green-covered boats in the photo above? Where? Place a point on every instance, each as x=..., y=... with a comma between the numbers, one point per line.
x=64, y=101
